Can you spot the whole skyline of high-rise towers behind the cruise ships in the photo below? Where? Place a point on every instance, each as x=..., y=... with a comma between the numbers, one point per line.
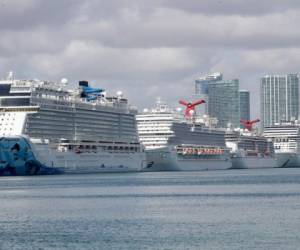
x=279, y=99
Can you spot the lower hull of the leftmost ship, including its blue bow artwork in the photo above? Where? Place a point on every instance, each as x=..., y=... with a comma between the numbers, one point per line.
x=30, y=158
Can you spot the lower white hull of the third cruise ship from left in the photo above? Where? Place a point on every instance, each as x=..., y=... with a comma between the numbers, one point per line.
x=253, y=162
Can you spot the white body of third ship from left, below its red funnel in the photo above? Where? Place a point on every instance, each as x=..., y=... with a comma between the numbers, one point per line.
x=249, y=150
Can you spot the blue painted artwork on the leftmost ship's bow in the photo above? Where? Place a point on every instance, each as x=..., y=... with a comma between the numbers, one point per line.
x=17, y=158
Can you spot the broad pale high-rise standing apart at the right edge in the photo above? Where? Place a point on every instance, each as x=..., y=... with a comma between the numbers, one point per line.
x=279, y=97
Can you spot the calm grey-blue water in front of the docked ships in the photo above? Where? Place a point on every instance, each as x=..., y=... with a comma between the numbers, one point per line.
x=236, y=209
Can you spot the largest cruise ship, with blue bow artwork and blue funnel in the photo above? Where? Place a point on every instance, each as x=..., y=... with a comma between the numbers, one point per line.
x=48, y=126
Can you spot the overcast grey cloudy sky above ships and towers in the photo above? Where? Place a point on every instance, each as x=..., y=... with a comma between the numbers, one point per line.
x=150, y=48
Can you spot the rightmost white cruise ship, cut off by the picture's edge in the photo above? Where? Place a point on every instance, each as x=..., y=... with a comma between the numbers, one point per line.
x=286, y=139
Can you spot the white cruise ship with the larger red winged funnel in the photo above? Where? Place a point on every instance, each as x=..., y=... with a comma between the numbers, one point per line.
x=174, y=142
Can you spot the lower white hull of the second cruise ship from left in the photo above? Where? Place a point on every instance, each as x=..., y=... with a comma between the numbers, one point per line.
x=164, y=159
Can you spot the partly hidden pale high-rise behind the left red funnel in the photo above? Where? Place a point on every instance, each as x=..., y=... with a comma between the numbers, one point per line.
x=201, y=89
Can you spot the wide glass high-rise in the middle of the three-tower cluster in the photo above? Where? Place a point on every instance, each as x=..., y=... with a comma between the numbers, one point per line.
x=224, y=102
